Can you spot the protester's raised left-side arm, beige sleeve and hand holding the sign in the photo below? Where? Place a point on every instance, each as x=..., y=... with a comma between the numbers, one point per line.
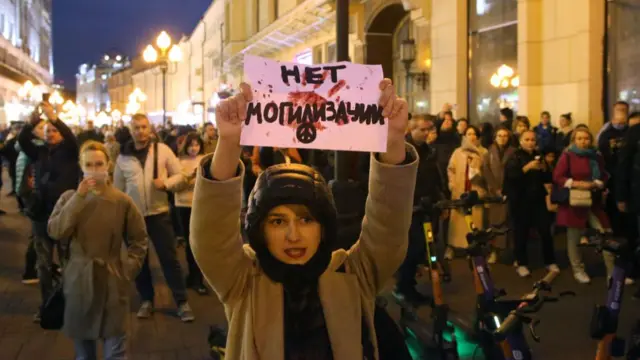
x=215, y=219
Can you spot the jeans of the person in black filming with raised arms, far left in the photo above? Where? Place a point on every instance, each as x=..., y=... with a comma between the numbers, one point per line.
x=44, y=247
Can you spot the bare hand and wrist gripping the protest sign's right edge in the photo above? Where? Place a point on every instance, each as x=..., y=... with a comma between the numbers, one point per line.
x=396, y=111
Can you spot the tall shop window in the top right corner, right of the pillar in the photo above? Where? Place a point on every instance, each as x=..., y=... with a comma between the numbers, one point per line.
x=623, y=50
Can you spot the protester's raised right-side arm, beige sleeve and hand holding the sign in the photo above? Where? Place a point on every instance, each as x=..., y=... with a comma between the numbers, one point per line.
x=383, y=242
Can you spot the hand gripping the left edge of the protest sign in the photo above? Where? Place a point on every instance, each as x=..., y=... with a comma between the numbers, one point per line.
x=231, y=112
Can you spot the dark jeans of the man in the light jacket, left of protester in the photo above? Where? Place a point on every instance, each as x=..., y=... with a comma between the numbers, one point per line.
x=161, y=234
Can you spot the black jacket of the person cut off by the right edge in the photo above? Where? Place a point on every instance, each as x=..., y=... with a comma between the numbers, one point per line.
x=627, y=175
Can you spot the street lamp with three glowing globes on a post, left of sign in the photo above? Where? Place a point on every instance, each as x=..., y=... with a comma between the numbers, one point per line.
x=165, y=54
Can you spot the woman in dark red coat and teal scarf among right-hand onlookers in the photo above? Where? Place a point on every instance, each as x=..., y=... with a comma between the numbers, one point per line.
x=581, y=167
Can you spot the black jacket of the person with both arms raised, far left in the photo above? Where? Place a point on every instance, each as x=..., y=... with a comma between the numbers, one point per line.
x=57, y=167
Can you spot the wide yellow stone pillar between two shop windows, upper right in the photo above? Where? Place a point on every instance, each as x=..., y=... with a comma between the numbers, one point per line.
x=572, y=58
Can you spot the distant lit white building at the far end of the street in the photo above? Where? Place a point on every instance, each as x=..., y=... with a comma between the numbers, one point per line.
x=92, y=83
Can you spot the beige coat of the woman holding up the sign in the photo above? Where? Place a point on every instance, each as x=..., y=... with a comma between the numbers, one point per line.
x=254, y=303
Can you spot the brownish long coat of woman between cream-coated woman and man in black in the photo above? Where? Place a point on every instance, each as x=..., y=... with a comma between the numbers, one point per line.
x=493, y=169
